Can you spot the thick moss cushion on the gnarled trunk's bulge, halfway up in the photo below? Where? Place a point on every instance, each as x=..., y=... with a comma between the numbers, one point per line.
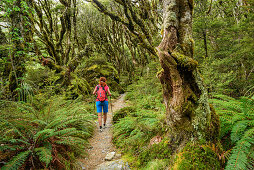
x=185, y=61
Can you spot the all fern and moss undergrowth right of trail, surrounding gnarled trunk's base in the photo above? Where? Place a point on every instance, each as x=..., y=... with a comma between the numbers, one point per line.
x=144, y=118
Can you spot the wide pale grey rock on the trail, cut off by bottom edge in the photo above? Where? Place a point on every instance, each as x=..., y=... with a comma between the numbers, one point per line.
x=114, y=165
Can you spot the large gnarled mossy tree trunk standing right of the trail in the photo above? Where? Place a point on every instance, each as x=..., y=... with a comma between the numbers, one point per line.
x=187, y=108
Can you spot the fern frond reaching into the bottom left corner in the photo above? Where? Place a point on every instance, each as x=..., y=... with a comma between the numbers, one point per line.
x=17, y=161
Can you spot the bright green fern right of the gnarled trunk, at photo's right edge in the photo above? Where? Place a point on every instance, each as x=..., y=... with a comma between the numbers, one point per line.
x=237, y=118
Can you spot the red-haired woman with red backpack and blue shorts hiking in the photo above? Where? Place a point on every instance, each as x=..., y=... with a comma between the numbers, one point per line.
x=102, y=90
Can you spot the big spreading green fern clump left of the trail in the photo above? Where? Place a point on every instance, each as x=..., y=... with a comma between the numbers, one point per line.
x=52, y=135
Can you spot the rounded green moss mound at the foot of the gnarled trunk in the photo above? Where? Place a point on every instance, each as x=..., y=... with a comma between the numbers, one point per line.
x=196, y=156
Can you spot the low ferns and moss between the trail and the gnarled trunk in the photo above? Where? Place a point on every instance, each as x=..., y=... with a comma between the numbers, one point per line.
x=137, y=125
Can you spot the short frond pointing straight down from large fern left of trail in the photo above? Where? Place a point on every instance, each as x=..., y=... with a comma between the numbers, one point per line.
x=44, y=154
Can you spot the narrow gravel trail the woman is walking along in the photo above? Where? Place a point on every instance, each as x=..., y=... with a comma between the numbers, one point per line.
x=101, y=142
